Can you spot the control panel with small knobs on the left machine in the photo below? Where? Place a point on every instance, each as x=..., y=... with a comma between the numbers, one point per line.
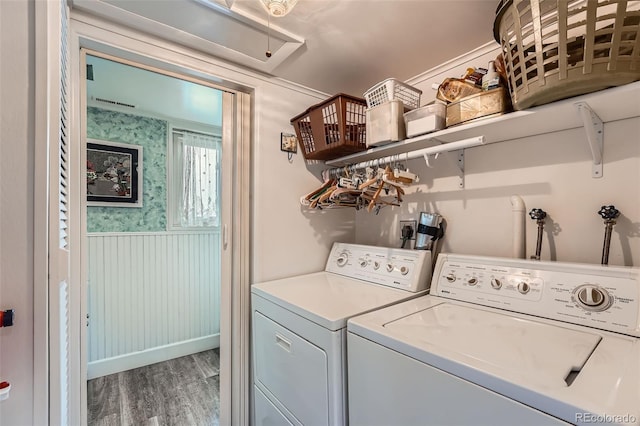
x=404, y=269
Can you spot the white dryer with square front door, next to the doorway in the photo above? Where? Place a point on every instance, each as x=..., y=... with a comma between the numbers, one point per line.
x=299, y=329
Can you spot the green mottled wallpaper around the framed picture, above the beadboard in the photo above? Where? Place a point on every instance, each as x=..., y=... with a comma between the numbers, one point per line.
x=151, y=134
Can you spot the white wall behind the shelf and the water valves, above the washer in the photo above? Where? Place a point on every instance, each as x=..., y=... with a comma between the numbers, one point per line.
x=551, y=172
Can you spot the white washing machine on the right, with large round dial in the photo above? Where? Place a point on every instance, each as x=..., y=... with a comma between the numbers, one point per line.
x=502, y=342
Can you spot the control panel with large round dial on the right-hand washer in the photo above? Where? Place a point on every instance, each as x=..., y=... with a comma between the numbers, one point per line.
x=604, y=297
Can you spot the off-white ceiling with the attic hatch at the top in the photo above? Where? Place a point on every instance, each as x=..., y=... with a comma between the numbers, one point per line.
x=333, y=46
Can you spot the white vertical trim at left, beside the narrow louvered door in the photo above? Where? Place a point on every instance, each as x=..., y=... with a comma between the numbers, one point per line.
x=48, y=34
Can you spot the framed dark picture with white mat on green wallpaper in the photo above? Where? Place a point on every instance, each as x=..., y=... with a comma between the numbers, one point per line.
x=114, y=174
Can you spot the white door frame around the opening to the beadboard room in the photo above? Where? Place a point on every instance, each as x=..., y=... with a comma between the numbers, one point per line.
x=99, y=35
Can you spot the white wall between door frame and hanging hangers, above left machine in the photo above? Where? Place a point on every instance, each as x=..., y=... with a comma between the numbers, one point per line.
x=288, y=239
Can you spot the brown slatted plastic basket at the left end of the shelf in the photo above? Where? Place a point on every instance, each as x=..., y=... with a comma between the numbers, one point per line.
x=333, y=128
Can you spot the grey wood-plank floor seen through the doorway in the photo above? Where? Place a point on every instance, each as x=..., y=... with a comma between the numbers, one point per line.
x=181, y=391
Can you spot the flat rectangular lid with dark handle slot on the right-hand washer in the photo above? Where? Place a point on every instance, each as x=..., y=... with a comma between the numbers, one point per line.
x=515, y=349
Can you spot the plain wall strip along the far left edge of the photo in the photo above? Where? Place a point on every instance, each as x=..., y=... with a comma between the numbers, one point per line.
x=17, y=78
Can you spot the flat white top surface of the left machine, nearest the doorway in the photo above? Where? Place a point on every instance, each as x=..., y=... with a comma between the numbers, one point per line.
x=329, y=299
